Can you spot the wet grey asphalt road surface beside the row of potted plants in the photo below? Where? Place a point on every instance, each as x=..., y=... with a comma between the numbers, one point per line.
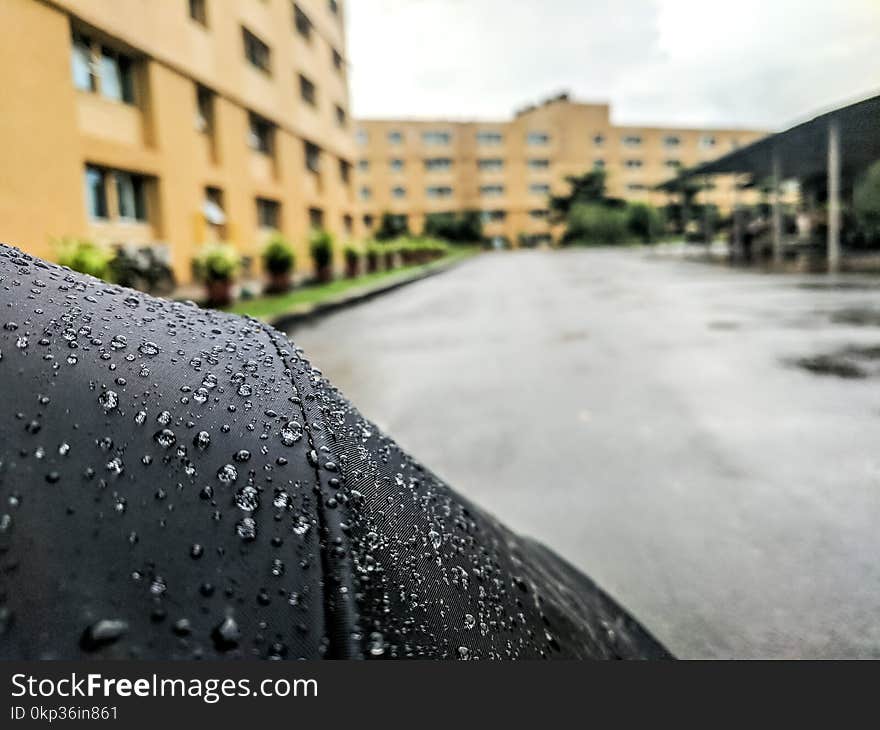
x=643, y=418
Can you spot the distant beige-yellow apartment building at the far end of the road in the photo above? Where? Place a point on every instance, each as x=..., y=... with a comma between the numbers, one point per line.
x=507, y=169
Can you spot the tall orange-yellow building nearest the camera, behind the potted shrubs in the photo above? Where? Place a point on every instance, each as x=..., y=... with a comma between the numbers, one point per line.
x=174, y=122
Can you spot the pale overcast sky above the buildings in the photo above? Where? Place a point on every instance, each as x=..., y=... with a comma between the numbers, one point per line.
x=760, y=63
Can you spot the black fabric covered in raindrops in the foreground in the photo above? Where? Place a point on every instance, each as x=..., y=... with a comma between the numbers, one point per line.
x=179, y=483
